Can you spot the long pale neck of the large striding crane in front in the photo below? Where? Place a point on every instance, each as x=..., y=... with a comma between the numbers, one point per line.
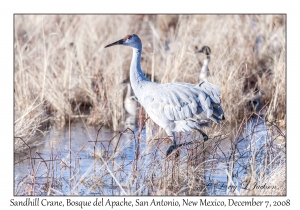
x=137, y=77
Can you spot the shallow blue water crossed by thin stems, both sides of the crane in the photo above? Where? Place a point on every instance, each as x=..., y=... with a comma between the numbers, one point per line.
x=108, y=165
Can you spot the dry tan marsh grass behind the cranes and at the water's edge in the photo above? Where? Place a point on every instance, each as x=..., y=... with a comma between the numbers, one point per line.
x=62, y=71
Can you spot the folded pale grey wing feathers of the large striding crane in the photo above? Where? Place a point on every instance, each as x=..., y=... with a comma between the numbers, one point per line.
x=182, y=102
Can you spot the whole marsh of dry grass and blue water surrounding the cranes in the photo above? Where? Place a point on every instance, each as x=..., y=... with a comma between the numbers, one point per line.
x=63, y=76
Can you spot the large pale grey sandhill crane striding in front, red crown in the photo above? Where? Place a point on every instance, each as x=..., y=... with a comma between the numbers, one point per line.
x=176, y=107
